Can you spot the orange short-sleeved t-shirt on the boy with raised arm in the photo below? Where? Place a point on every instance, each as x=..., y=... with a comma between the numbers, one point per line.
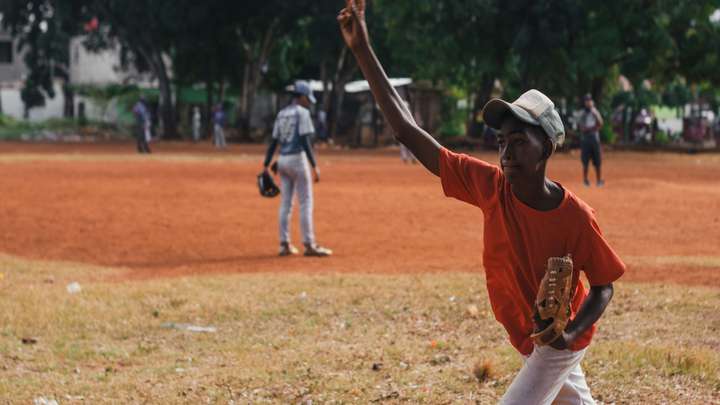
x=518, y=240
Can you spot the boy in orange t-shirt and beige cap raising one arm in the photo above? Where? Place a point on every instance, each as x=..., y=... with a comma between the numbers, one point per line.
x=528, y=218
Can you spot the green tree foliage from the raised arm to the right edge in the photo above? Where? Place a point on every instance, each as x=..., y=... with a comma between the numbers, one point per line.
x=565, y=47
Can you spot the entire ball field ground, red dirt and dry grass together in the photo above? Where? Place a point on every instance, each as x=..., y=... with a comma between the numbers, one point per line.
x=384, y=321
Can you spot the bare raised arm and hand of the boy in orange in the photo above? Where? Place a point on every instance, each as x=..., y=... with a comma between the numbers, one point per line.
x=354, y=30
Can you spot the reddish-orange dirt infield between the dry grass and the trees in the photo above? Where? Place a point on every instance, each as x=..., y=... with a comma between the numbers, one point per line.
x=189, y=210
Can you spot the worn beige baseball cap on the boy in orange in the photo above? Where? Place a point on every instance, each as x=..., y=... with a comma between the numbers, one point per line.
x=532, y=107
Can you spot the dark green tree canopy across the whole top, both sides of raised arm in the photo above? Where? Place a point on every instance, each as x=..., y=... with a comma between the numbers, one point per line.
x=564, y=47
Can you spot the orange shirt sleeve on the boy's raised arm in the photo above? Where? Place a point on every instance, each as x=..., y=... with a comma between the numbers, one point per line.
x=469, y=179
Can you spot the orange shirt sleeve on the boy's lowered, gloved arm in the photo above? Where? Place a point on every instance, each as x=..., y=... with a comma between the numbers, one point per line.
x=596, y=258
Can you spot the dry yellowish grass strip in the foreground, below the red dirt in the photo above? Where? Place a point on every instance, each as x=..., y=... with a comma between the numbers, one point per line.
x=326, y=338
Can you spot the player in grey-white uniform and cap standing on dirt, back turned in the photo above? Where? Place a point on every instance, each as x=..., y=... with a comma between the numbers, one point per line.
x=293, y=132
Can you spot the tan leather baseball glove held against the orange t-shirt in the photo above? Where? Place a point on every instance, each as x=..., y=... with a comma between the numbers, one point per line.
x=552, y=305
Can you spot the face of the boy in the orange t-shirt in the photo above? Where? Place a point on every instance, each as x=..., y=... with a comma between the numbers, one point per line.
x=522, y=150
